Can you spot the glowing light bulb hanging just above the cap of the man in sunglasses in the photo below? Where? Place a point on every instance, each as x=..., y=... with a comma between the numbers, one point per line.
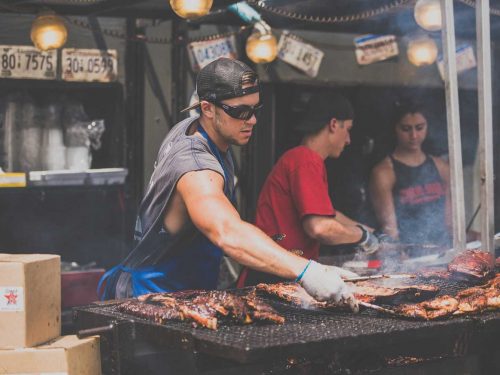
x=262, y=46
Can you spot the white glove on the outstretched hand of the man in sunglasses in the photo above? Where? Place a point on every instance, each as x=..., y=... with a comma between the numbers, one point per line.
x=324, y=283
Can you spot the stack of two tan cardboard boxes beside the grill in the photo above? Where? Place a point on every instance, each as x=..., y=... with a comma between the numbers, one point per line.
x=30, y=321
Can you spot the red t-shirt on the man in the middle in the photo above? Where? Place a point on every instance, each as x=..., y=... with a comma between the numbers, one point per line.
x=297, y=186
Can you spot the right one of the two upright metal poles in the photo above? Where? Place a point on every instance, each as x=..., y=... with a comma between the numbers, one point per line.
x=485, y=123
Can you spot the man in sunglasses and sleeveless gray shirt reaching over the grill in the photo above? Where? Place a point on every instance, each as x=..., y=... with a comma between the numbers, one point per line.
x=186, y=220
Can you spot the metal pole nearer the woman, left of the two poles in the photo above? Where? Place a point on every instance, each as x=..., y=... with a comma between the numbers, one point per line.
x=453, y=119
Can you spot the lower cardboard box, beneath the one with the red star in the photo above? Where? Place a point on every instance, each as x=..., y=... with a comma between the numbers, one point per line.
x=66, y=355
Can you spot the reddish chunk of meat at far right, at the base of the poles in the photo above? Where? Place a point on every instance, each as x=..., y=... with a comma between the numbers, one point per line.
x=473, y=264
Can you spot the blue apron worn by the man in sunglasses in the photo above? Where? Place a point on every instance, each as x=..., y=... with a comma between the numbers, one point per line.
x=195, y=267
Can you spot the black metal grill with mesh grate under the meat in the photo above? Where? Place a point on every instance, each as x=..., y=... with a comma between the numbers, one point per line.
x=309, y=333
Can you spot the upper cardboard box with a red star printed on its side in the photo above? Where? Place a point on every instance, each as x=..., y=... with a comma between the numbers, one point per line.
x=30, y=299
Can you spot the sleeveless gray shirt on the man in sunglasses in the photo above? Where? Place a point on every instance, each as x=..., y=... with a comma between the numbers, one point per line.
x=179, y=154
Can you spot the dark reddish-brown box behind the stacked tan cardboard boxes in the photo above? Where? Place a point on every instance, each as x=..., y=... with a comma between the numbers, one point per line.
x=80, y=287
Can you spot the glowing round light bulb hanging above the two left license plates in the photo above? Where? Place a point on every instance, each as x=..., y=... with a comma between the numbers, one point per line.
x=48, y=31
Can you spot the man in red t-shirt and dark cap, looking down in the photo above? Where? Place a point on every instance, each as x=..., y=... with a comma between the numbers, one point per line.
x=294, y=200
